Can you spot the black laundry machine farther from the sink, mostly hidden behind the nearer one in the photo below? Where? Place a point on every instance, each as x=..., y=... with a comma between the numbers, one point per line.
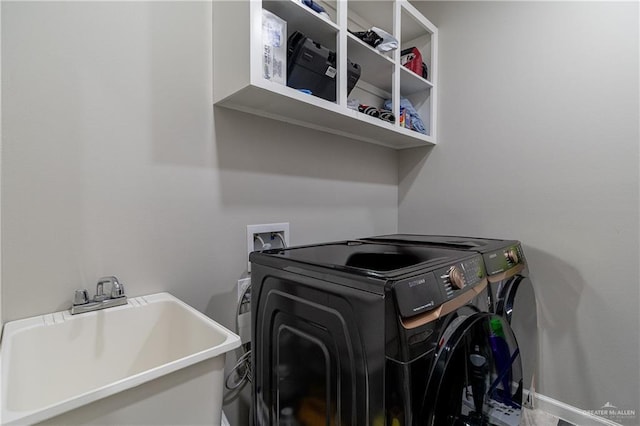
x=511, y=292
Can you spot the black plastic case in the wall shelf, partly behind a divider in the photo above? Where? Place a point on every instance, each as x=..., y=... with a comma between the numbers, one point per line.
x=310, y=66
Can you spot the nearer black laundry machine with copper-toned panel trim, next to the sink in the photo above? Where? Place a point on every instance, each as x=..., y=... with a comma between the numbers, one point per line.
x=379, y=333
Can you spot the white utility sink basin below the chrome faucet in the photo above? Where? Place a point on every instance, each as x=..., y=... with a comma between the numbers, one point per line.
x=59, y=363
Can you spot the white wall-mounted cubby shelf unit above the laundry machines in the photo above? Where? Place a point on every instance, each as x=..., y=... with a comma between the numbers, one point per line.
x=238, y=82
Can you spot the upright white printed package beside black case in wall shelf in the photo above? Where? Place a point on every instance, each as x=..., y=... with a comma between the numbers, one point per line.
x=274, y=47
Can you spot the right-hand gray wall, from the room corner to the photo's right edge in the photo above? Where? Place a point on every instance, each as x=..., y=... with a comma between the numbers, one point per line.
x=539, y=142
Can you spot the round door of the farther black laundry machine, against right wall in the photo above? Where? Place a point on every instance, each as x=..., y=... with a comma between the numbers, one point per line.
x=517, y=304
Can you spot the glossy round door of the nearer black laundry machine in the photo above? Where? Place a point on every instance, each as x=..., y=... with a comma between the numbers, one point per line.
x=476, y=377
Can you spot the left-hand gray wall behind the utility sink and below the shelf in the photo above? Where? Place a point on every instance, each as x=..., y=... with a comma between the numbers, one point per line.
x=115, y=163
